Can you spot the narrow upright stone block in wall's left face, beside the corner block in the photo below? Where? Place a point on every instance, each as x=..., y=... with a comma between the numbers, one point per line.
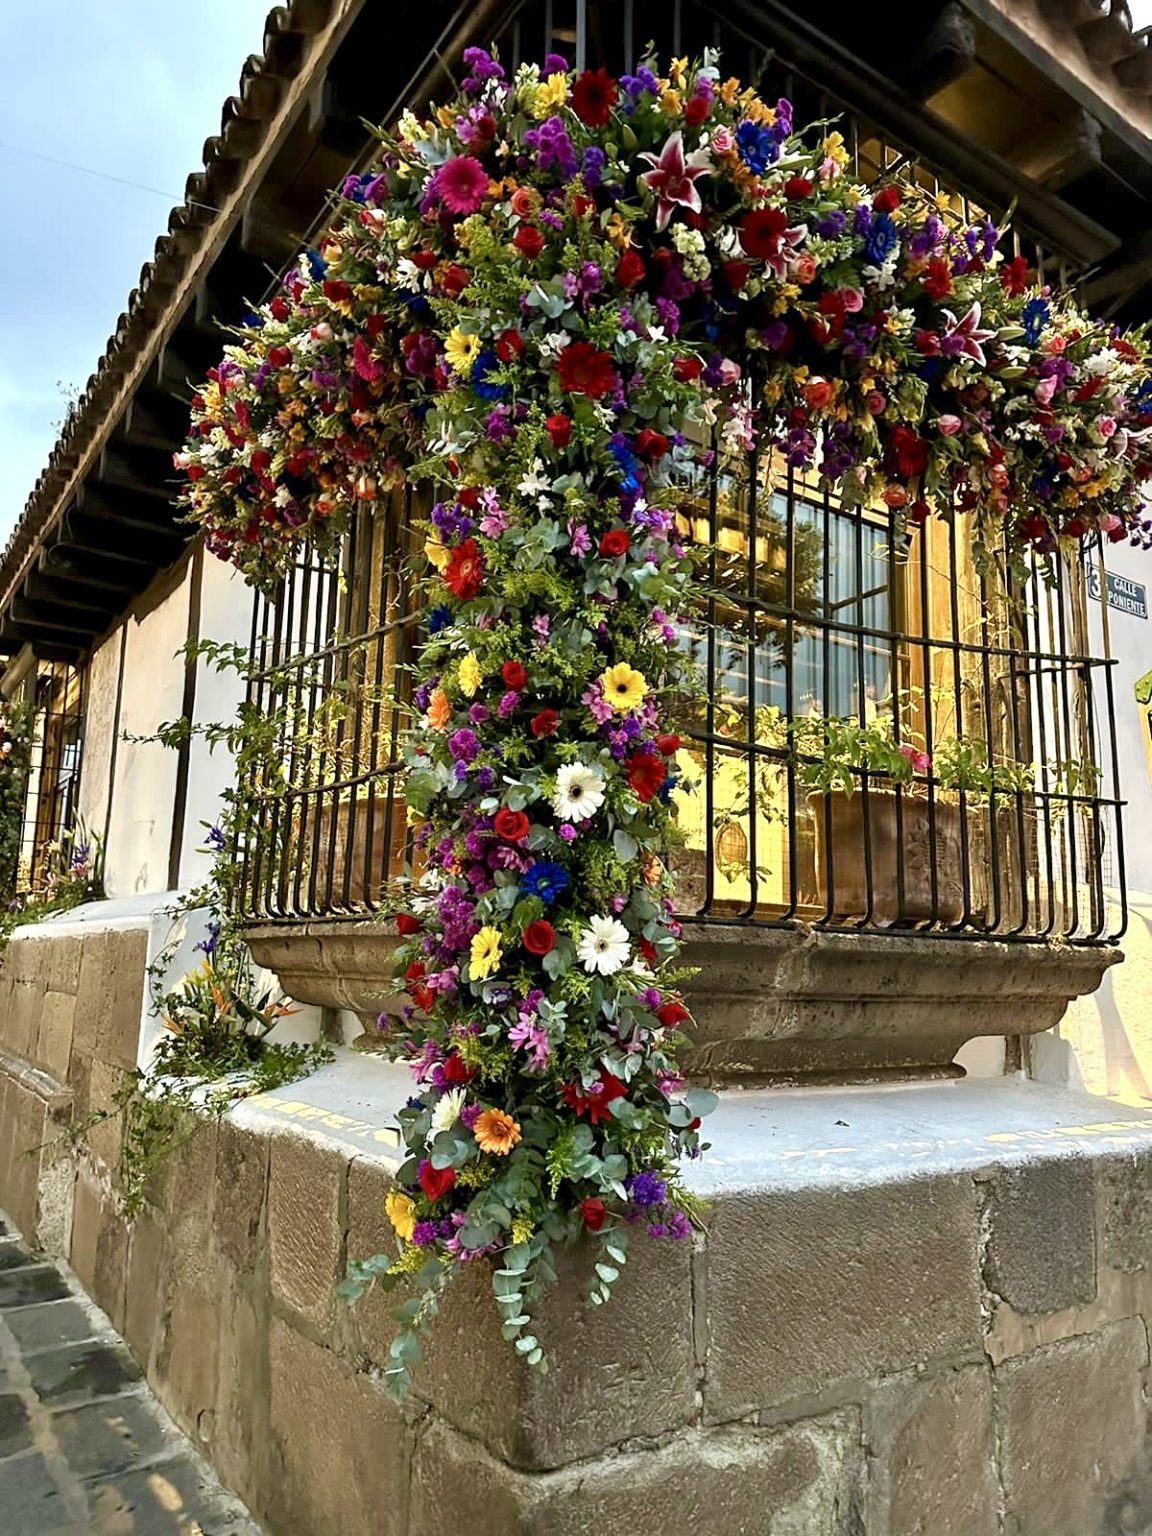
x=305, y=1225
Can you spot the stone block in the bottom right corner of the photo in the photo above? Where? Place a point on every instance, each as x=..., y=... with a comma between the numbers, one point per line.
x=1071, y=1425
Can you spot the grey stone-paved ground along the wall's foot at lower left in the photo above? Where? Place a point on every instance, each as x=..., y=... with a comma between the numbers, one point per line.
x=84, y=1445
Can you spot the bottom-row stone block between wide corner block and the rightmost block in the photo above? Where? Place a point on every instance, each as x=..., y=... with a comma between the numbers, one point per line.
x=933, y=1455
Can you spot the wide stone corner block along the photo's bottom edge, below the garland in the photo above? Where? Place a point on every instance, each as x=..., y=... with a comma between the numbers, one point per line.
x=803, y=1480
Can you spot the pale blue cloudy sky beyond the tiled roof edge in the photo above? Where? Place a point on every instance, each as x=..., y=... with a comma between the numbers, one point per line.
x=131, y=90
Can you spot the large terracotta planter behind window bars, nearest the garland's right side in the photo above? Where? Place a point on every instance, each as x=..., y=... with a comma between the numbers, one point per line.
x=913, y=844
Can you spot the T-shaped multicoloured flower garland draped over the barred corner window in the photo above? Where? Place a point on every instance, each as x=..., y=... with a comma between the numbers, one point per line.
x=548, y=302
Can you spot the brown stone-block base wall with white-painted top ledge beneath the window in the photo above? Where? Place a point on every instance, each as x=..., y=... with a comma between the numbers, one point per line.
x=890, y=1326
